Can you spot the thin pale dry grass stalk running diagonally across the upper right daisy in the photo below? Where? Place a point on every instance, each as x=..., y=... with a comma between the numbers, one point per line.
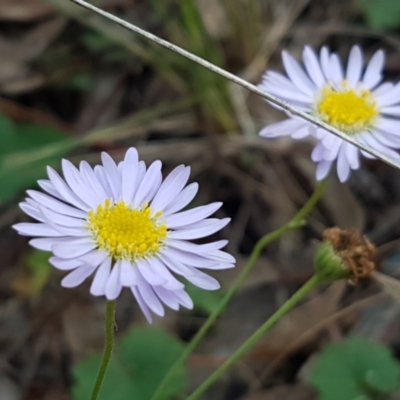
x=239, y=81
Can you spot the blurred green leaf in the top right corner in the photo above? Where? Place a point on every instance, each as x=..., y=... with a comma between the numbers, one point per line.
x=381, y=14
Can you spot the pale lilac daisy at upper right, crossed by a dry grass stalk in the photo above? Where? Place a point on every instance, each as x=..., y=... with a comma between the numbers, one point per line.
x=352, y=99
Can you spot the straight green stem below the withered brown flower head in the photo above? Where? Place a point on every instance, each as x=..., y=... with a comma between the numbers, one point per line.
x=257, y=335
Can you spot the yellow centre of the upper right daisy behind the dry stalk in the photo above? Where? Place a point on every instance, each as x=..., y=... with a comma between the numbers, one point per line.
x=347, y=110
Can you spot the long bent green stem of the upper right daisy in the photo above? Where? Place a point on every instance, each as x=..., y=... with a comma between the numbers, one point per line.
x=296, y=222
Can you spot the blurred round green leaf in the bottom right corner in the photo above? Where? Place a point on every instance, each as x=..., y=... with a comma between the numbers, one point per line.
x=355, y=369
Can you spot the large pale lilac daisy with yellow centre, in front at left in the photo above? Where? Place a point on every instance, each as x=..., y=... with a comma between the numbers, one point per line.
x=123, y=224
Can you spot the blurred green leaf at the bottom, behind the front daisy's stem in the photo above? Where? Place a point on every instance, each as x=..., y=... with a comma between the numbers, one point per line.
x=136, y=369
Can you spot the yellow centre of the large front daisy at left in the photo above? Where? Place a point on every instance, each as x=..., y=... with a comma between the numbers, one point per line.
x=126, y=233
